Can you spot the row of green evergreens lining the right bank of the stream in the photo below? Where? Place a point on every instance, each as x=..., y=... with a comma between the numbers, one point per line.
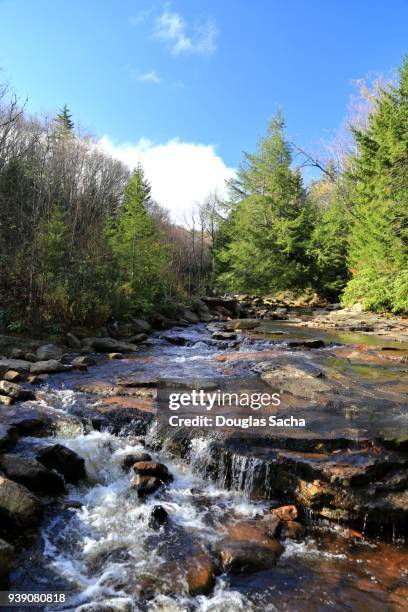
x=345, y=236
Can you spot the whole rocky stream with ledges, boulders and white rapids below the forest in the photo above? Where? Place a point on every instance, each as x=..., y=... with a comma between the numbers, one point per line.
x=99, y=502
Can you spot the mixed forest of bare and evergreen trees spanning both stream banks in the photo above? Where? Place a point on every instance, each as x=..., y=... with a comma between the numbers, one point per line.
x=82, y=240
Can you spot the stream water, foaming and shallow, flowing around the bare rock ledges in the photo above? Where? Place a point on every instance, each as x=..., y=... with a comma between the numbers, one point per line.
x=99, y=548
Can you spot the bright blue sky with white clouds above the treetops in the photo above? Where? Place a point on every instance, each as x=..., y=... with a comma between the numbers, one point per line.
x=208, y=74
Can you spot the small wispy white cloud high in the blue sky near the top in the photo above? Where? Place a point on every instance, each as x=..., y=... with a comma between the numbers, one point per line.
x=172, y=29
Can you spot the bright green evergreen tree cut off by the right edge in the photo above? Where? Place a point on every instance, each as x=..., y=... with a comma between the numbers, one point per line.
x=378, y=253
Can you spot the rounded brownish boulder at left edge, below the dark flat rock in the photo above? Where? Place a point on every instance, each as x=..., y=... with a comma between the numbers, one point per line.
x=18, y=506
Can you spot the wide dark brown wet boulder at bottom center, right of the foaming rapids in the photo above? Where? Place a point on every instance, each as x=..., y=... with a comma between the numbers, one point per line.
x=246, y=557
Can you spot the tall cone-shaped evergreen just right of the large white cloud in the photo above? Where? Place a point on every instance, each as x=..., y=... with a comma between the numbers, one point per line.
x=265, y=240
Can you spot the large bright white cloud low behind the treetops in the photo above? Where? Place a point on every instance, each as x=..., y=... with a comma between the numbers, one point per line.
x=182, y=174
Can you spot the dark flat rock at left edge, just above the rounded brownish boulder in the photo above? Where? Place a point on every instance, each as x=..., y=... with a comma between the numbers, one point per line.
x=31, y=474
